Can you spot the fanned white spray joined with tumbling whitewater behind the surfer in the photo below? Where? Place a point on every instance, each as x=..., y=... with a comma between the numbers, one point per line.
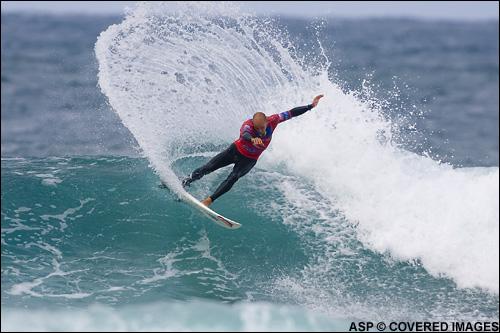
x=181, y=79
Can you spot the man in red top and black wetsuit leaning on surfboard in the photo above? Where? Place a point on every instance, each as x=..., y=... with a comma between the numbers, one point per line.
x=255, y=137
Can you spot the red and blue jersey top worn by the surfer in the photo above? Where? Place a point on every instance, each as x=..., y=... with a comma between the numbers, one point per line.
x=247, y=132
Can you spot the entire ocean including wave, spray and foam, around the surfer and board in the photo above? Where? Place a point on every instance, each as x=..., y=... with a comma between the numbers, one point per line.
x=380, y=204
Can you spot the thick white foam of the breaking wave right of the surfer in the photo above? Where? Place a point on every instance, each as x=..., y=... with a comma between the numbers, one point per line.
x=408, y=205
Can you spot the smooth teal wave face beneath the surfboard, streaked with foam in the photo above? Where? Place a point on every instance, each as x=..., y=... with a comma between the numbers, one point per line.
x=106, y=233
